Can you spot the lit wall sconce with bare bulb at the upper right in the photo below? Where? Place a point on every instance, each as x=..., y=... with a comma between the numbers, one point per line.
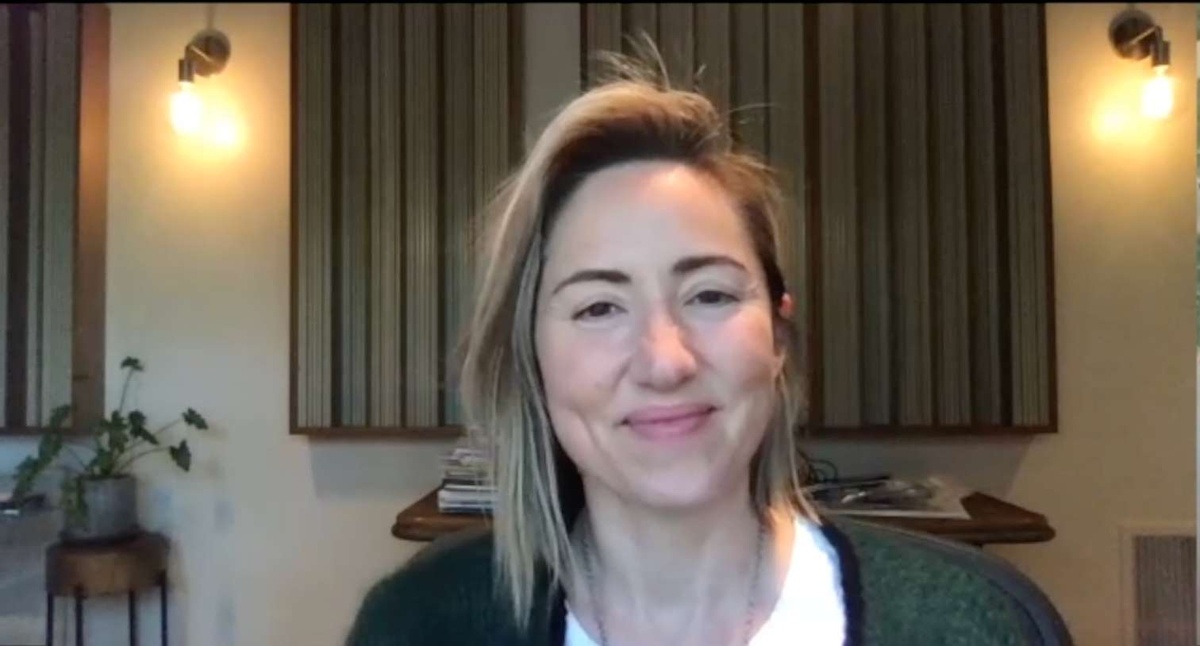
x=1136, y=37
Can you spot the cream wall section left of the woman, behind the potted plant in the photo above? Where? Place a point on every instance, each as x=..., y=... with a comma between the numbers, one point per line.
x=277, y=537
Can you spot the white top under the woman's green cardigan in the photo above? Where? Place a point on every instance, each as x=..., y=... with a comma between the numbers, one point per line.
x=811, y=606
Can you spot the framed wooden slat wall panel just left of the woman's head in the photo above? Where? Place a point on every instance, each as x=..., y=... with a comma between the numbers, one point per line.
x=405, y=125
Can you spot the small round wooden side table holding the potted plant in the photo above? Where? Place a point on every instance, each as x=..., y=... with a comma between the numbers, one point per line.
x=83, y=571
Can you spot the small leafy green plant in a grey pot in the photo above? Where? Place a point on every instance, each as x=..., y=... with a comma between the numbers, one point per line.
x=100, y=495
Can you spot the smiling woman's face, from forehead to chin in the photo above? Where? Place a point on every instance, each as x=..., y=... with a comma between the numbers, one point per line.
x=655, y=336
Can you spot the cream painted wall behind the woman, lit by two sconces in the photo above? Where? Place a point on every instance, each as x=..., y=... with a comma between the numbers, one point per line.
x=279, y=537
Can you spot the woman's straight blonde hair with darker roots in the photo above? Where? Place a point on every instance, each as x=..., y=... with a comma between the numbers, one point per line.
x=633, y=116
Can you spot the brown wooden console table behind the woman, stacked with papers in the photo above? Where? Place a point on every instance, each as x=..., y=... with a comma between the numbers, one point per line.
x=993, y=522
